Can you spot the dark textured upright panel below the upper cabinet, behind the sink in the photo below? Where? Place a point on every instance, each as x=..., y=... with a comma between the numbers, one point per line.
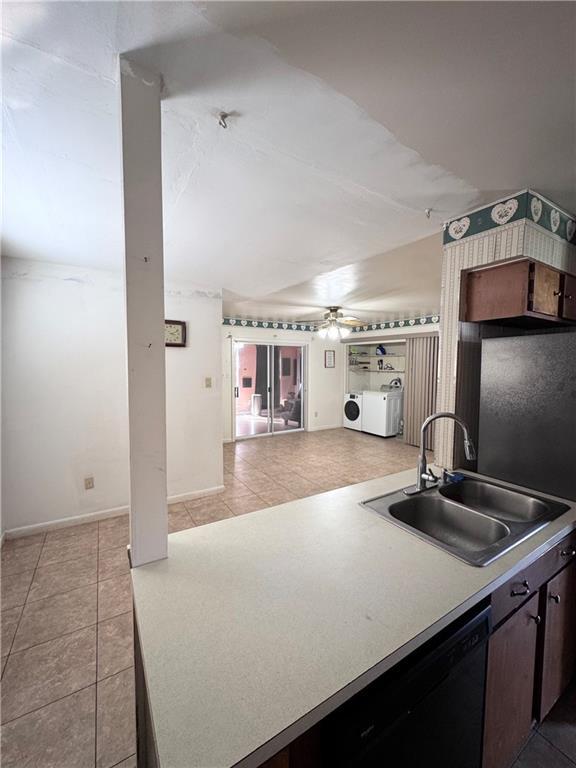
x=527, y=425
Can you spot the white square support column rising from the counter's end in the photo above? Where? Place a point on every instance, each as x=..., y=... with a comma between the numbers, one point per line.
x=144, y=281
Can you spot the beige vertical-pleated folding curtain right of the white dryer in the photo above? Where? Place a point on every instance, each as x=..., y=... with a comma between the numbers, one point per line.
x=420, y=389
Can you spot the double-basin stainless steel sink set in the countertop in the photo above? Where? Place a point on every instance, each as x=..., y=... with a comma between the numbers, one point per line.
x=474, y=520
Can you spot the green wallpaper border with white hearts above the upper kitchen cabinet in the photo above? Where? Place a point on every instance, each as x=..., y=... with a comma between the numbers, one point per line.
x=524, y=205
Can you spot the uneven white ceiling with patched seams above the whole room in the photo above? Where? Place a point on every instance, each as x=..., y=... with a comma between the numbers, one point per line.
x=352, y=118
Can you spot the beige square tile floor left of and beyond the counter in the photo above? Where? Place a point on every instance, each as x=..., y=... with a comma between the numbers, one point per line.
x=67, y=657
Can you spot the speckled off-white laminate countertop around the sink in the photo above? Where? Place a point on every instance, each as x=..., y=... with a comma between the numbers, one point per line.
x=258, y=626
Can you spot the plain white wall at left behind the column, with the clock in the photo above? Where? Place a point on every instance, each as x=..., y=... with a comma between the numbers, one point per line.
x=64, y=393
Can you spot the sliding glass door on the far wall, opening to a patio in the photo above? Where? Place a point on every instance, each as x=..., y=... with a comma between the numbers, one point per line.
x=268, y=388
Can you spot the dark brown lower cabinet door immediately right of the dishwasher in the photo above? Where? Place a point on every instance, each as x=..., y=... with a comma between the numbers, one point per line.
x=510, y=686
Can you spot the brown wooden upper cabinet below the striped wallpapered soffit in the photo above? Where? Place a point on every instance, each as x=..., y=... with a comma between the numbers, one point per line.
x=522, y=292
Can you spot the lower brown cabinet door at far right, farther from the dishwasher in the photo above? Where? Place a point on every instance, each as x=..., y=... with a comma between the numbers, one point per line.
x=559, y=657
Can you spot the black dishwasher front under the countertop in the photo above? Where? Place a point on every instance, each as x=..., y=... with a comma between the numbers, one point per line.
x=428, y=712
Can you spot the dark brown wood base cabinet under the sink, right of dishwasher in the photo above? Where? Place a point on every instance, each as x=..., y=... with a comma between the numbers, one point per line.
x=532, y=652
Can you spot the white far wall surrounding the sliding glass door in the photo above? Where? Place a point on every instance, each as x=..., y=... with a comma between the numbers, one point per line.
x=324, y=386
